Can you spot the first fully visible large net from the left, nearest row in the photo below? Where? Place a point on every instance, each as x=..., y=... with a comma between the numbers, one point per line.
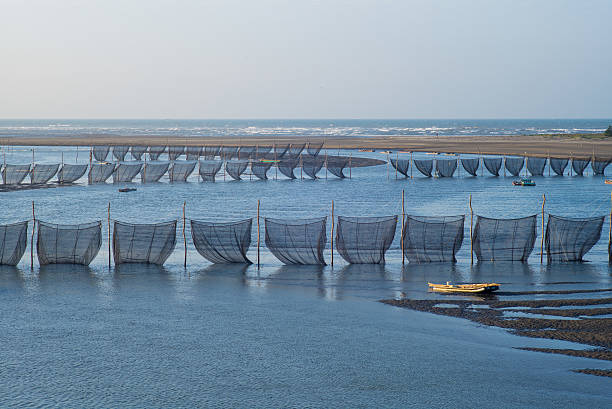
x=68, y=244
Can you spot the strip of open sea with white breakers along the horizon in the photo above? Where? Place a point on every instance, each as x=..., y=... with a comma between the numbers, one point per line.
x=296, y=128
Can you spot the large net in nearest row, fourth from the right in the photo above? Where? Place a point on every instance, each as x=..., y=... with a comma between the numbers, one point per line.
x=365, y=240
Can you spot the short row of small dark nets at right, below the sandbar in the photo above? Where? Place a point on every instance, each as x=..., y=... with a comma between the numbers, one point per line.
x=494, y=165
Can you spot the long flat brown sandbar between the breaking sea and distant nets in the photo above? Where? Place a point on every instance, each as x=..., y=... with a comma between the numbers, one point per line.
x=532, y=145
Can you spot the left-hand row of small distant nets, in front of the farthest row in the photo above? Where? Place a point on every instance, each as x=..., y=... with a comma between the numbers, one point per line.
x=208, y=170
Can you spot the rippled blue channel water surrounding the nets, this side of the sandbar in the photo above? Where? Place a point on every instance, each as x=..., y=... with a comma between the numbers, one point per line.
x=237, y=336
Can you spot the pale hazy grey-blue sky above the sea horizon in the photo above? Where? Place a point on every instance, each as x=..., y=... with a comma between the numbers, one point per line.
x=305, y=59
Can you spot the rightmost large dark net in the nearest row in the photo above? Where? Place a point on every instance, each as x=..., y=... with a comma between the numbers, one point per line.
x=569, y=239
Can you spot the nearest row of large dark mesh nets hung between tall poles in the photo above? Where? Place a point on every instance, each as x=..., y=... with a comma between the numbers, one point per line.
x=358, y=240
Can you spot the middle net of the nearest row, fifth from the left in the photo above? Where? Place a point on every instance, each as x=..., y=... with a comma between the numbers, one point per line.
x=297, y=241
